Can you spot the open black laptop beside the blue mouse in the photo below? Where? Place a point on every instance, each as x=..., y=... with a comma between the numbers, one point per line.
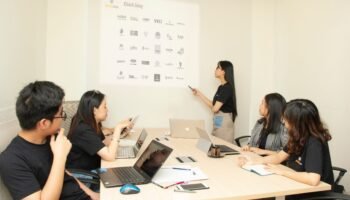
x=143, y=170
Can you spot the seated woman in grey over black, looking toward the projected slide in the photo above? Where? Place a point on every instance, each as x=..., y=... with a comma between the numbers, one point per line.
x=269, y=134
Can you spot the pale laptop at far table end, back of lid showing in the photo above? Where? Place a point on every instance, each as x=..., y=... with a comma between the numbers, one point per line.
x=184, y=128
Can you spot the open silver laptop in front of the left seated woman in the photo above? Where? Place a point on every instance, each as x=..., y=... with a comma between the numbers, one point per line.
x=131, y=151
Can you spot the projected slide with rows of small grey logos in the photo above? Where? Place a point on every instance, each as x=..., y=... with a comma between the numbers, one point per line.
x=149, y=42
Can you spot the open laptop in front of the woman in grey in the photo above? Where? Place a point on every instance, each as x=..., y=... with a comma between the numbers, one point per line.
x=205, y=143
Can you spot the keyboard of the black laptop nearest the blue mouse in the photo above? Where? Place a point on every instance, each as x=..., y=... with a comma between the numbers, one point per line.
x=128, y=175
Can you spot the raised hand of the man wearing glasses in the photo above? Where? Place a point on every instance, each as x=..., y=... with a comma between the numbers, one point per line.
x=60, y=145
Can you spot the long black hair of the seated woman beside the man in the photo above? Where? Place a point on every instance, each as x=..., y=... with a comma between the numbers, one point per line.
x=85, y=113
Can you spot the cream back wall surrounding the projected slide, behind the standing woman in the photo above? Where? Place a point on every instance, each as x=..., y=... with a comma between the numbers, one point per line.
x=225, y=29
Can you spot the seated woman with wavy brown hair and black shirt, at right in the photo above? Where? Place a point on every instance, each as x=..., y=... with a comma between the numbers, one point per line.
x=307, y=151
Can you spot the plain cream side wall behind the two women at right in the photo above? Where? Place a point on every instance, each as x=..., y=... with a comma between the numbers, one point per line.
x=301, y=49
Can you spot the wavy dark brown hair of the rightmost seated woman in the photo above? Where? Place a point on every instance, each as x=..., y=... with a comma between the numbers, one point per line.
x=304, y=121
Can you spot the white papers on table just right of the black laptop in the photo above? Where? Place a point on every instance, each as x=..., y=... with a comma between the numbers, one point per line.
x=179, y=173
